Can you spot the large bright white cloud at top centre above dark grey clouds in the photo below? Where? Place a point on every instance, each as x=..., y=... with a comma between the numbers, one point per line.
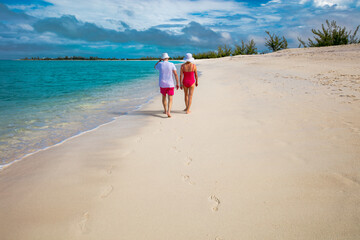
x=140, y=14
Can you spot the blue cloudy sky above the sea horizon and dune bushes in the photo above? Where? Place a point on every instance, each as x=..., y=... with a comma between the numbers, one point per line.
x=128, y=28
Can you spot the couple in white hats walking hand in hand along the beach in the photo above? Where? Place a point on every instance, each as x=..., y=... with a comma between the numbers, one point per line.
x=188, y=80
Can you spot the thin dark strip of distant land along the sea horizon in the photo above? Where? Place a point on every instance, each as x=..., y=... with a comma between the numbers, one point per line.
x=95, y=58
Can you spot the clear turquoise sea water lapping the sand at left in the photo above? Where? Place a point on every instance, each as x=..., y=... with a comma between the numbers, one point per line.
x=45, y=102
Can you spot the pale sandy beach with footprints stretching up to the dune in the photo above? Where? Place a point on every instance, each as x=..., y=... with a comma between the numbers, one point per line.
x=271, y=150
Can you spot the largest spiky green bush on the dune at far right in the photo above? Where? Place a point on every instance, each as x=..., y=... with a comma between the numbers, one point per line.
x=330, y=35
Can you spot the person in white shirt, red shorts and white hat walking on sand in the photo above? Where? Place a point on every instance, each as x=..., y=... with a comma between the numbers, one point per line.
x=166, y=81
